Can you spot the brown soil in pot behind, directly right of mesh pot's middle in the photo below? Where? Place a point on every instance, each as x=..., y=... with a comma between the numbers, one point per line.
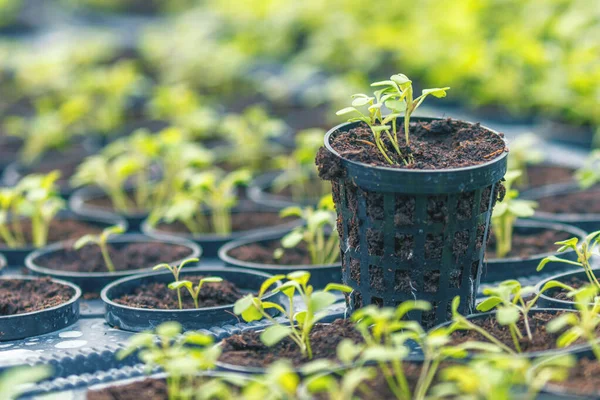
x=531, y=244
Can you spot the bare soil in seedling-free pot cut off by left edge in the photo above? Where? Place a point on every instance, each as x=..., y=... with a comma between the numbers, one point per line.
x=19, y=296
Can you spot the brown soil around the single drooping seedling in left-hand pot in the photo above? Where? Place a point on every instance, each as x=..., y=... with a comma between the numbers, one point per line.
x=130, y=256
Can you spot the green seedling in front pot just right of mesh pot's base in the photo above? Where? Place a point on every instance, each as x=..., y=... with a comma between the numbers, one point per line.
x=508, y=299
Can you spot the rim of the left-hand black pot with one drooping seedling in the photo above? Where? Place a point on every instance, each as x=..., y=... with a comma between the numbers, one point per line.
x=124, y=238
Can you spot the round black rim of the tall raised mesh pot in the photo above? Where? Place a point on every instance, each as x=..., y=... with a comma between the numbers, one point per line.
x=337, y=128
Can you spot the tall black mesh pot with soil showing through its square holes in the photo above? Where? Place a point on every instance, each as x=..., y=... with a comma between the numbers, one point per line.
x=412, y=234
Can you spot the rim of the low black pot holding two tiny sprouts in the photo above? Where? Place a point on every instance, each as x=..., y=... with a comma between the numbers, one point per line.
x=109, y=302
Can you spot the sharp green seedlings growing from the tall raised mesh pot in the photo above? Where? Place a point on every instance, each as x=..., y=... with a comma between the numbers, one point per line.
x=397, y=96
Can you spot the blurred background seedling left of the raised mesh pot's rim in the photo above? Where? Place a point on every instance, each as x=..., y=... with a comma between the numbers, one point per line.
x=250, y=139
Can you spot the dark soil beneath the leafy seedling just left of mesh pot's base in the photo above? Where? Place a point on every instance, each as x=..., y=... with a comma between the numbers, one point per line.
x=246, y=349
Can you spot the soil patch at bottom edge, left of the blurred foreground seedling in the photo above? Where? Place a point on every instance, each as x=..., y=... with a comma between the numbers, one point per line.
x=155, y=389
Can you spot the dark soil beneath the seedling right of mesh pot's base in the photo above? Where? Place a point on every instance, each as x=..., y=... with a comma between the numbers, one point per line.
x=542, y=339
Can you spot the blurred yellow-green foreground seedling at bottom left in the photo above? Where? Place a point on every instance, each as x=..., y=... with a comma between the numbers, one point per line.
x=181, y=356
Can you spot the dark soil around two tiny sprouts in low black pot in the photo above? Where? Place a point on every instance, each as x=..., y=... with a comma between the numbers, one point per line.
x=159, y=296
